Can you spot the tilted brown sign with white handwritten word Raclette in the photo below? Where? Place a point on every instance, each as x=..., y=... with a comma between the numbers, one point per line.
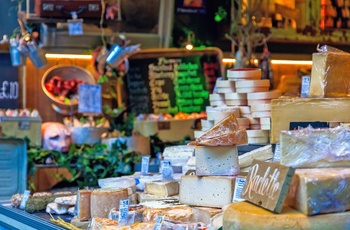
x=267, y=185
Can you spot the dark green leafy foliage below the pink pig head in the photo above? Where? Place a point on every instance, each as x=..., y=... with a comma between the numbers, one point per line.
x=88, y=163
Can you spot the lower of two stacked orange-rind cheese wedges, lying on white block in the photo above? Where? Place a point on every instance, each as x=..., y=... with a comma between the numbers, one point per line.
x=238, y=137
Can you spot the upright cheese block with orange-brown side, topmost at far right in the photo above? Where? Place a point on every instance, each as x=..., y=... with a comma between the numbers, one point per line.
x=330, y=75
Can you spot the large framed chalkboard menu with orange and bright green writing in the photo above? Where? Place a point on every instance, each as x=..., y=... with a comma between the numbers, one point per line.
x=172, y=80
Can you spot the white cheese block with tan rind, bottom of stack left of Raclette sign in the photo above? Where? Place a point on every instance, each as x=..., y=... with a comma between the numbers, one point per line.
x=207, y=191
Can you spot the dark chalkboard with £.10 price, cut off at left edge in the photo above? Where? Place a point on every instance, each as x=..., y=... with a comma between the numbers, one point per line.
x=9, y=86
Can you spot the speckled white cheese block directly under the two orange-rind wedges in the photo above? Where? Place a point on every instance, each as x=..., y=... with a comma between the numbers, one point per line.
x=217, y=161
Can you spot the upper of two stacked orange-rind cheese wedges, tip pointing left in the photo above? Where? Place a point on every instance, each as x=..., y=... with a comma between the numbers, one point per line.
x=225, y=126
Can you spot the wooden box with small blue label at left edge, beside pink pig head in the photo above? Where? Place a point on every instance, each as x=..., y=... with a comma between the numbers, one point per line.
x=21, y=127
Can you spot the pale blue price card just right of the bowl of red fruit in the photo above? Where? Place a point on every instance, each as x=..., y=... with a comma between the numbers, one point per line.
x=90, y=99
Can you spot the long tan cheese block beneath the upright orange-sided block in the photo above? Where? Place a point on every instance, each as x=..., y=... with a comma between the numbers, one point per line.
x=285, y=111
